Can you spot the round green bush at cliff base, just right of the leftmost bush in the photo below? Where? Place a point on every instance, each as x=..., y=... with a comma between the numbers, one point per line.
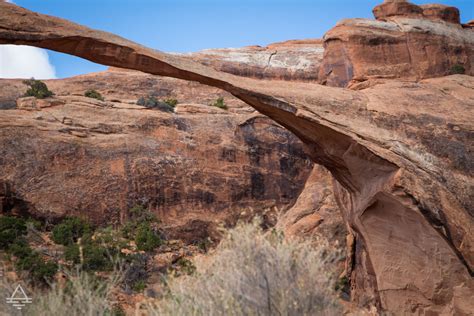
x=69, y=231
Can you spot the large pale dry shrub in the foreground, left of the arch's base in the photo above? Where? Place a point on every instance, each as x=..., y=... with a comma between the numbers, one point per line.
x=253, y=273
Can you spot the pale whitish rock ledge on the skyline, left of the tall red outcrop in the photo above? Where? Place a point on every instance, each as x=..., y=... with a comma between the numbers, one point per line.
x=296, y=60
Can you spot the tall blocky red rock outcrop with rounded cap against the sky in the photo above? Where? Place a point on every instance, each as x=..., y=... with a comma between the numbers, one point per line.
x=406, y=41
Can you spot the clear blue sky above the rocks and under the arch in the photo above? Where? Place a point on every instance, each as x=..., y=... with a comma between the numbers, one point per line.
x=191, y=25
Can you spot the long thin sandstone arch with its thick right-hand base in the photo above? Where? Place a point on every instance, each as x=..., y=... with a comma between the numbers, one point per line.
x=380, y=188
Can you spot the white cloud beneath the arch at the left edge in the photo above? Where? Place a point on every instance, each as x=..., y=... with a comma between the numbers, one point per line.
x=17, y=61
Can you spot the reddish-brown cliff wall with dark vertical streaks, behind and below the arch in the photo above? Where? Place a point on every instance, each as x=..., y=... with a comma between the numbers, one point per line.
x=73, y=155
